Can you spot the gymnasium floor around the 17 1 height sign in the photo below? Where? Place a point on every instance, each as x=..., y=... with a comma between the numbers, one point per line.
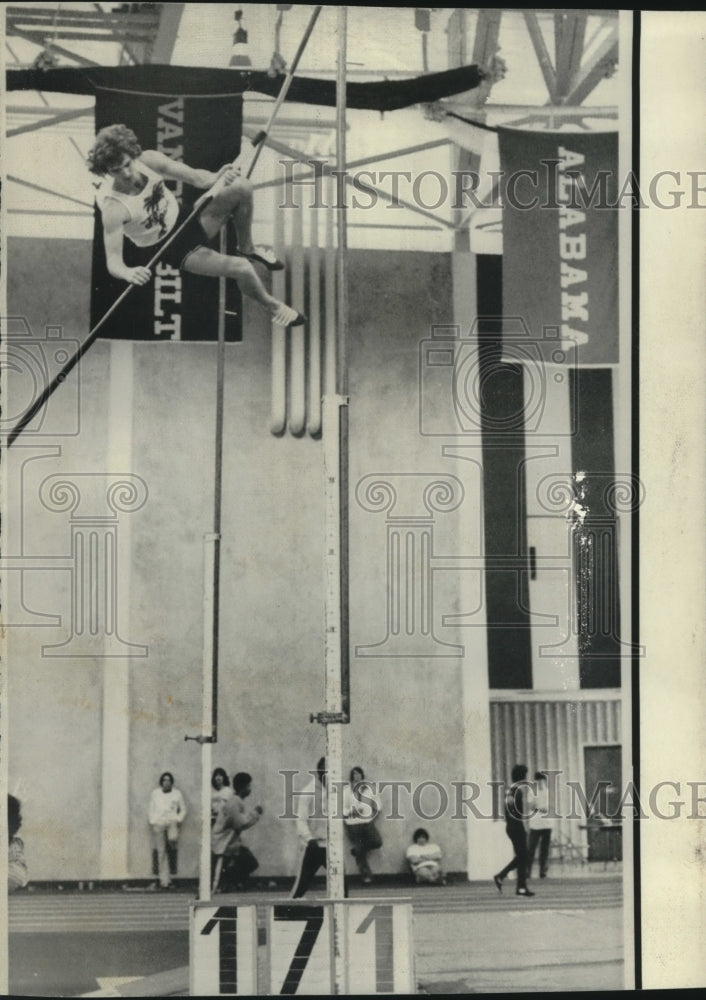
x=467, y=939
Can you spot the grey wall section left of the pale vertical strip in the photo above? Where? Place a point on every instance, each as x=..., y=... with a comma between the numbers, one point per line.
x=52, y=705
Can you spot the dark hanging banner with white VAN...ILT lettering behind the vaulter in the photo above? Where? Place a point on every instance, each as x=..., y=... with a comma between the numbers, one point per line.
x=203, y=132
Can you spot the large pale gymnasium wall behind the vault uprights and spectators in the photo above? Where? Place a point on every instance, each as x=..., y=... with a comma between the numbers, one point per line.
x=407, y=707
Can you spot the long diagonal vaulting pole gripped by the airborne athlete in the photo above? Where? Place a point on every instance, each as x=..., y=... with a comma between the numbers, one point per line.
x=202, y=202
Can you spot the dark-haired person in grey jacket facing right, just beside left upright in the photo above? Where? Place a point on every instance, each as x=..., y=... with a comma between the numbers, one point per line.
x=232, y=861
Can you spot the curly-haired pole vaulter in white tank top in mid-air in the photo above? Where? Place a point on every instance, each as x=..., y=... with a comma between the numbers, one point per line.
x=135, y=202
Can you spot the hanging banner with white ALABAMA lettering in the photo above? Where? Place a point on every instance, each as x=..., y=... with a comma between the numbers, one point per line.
x=560, y=246
